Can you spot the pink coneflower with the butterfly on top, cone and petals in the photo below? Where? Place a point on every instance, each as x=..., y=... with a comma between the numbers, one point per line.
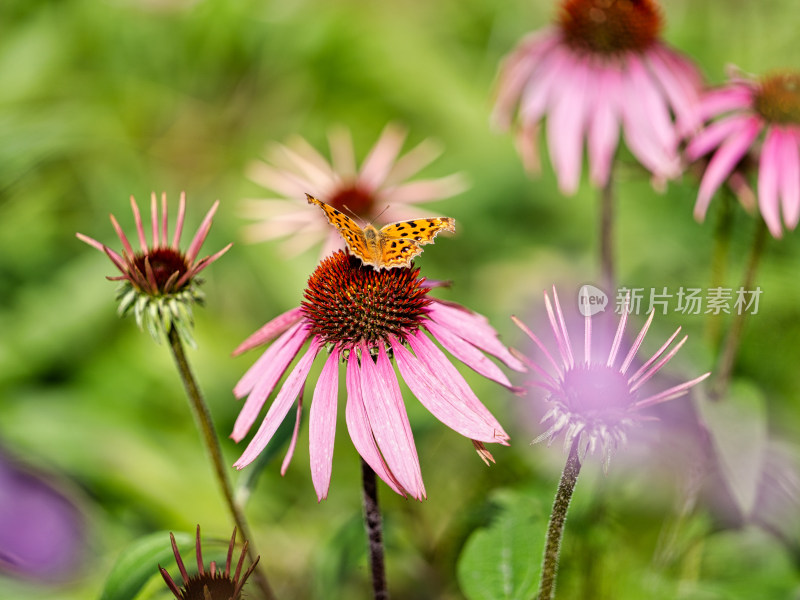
x=365, y=317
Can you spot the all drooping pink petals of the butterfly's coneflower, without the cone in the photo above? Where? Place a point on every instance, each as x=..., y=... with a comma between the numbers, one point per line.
x=375, y=413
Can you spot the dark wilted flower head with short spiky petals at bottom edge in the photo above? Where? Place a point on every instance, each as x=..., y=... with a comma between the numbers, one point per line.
x=212, y=584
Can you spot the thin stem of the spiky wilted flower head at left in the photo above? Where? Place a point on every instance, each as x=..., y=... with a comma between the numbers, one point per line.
x=202, y=418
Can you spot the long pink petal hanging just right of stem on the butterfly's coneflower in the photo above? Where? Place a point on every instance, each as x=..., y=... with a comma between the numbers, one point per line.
x=389, y=421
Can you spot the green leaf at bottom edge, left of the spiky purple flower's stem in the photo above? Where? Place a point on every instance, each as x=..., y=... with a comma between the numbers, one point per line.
x=503, y=561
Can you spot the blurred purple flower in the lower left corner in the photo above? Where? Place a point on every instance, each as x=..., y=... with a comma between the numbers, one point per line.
x=42, y=532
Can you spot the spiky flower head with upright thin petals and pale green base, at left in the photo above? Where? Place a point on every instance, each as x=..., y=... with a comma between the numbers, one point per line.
x=159, y=282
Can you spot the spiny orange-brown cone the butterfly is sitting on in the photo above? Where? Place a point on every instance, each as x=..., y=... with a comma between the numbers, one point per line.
x=347, y=302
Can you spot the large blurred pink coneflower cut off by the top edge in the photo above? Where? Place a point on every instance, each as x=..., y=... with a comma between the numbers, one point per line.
x=601, y=67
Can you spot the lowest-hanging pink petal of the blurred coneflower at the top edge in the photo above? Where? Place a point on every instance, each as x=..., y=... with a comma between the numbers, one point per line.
x=565, y=125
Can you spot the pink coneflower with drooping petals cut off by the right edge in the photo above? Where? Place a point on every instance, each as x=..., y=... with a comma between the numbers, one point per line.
x=743, y=110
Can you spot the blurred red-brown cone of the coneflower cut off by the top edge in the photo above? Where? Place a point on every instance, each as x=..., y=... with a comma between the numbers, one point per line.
x=610, y=26
